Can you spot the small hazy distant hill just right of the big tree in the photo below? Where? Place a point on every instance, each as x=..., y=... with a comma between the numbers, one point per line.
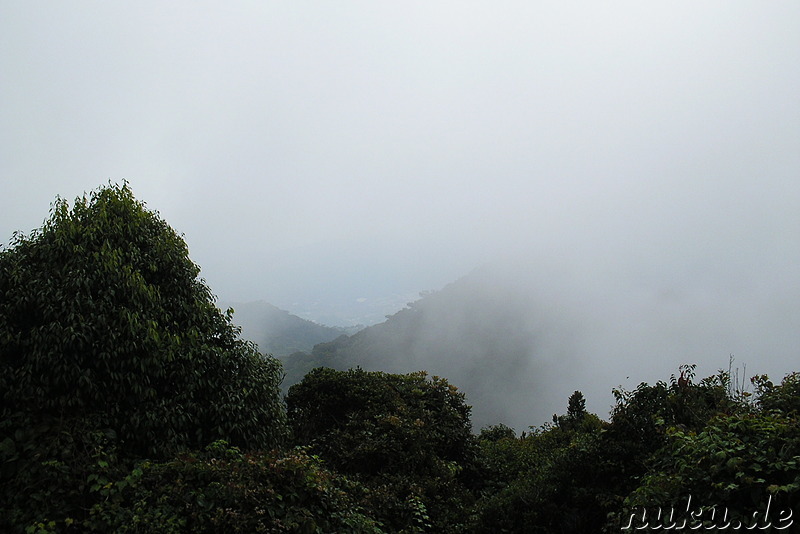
x=278, y=332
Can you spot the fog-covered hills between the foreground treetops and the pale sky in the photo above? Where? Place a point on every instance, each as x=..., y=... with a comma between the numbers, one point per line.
x=519, y=339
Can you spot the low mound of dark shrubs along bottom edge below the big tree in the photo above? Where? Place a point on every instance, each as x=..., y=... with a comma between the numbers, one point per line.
x=222, y=490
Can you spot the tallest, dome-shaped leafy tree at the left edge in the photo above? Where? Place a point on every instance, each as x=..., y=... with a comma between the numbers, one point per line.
x=105, y=326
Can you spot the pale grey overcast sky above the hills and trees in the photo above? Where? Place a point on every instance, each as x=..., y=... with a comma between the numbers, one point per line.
x=358, y=150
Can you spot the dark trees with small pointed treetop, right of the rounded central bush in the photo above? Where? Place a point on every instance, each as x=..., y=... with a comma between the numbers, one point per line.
x=574, y=475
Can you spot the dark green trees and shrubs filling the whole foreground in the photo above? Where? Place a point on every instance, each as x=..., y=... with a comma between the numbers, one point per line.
x=130, y=404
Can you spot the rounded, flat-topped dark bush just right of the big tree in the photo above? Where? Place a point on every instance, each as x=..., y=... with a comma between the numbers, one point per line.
x=407, y=437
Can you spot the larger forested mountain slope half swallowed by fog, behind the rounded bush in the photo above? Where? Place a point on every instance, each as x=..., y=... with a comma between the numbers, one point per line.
x=480, y=332
